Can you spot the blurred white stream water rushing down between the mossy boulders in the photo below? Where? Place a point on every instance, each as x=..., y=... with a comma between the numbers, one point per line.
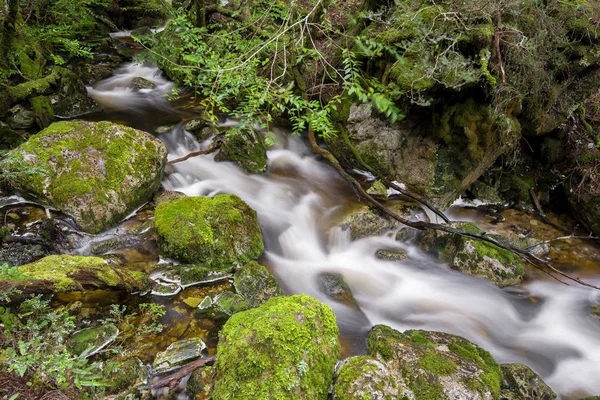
x=541, y=323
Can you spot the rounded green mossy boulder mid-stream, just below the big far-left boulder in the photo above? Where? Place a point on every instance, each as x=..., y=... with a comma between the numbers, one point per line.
x=218, y=232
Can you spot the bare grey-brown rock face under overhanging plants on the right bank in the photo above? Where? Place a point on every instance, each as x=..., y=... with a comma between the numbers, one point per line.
x=408, y=151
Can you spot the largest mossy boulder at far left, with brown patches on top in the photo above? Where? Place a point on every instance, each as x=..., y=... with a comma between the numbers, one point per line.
x=96, y=172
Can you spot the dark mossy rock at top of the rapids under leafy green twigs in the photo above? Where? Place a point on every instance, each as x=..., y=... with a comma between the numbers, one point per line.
x=244, y=147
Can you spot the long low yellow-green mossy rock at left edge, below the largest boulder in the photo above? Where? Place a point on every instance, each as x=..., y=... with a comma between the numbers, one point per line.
x=75, y=273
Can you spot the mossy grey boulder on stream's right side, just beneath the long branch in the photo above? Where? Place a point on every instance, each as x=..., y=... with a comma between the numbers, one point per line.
x=474, y=257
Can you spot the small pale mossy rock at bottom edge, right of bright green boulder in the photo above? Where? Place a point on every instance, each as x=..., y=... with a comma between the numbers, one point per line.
x=365, y=378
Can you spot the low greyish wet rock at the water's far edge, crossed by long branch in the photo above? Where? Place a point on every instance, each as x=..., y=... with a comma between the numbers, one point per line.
x=365, y=221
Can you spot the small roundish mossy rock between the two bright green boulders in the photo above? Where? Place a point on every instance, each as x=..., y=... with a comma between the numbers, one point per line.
x=255, y=284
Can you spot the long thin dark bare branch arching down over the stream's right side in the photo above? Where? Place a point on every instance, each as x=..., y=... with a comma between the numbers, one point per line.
x=535, y=261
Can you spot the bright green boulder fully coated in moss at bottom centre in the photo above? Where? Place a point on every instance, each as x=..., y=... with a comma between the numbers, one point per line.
x=285, y=349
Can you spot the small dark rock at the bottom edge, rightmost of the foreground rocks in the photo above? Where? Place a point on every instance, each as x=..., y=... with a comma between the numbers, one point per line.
x=519, y=382
